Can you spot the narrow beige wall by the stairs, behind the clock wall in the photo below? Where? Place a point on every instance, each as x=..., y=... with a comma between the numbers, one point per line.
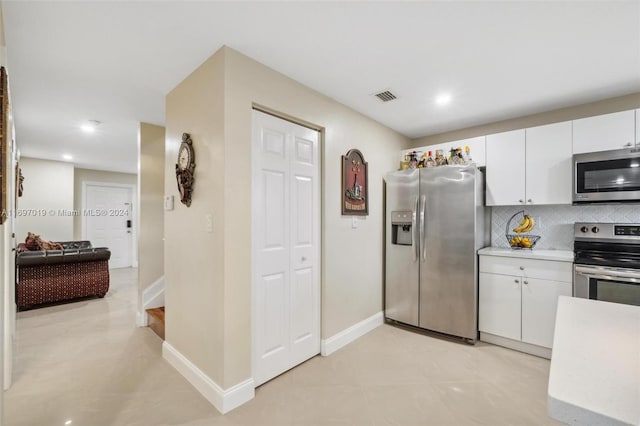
x=150, y=200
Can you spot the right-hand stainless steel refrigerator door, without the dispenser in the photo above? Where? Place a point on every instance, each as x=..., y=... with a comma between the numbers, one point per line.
x=448, y=289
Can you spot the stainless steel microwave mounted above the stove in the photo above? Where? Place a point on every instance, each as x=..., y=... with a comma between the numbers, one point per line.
x=607, y=176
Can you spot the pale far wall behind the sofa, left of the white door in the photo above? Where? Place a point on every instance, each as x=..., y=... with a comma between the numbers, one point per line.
x=48, y=195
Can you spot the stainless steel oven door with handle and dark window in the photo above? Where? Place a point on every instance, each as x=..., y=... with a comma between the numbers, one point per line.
x=616, y=285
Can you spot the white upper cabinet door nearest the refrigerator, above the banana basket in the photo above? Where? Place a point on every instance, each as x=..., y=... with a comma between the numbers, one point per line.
x=505, y=180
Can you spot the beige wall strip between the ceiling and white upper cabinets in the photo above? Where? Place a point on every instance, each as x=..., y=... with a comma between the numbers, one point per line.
x=606, y=106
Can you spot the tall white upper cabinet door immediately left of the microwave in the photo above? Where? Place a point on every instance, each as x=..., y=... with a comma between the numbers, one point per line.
x=548, y=164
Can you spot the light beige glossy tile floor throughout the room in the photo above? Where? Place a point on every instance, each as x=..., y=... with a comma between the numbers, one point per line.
x=87, y=362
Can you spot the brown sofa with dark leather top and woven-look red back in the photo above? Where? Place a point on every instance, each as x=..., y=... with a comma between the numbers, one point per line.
x=45, y=276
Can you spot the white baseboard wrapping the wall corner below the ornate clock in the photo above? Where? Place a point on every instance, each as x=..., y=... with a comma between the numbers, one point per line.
x=224, y=400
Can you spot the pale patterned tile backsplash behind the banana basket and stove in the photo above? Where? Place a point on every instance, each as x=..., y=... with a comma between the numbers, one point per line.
x=555, y=223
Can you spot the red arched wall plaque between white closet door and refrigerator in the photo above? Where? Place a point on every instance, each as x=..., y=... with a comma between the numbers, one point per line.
x=355, y=187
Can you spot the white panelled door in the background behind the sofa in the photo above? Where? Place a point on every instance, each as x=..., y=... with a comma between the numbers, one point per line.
x=107, y=216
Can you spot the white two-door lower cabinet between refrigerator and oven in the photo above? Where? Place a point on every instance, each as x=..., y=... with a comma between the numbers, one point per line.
x=518, y=300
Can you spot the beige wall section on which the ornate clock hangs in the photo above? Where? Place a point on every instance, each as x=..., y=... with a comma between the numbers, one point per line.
x=194, y=259
